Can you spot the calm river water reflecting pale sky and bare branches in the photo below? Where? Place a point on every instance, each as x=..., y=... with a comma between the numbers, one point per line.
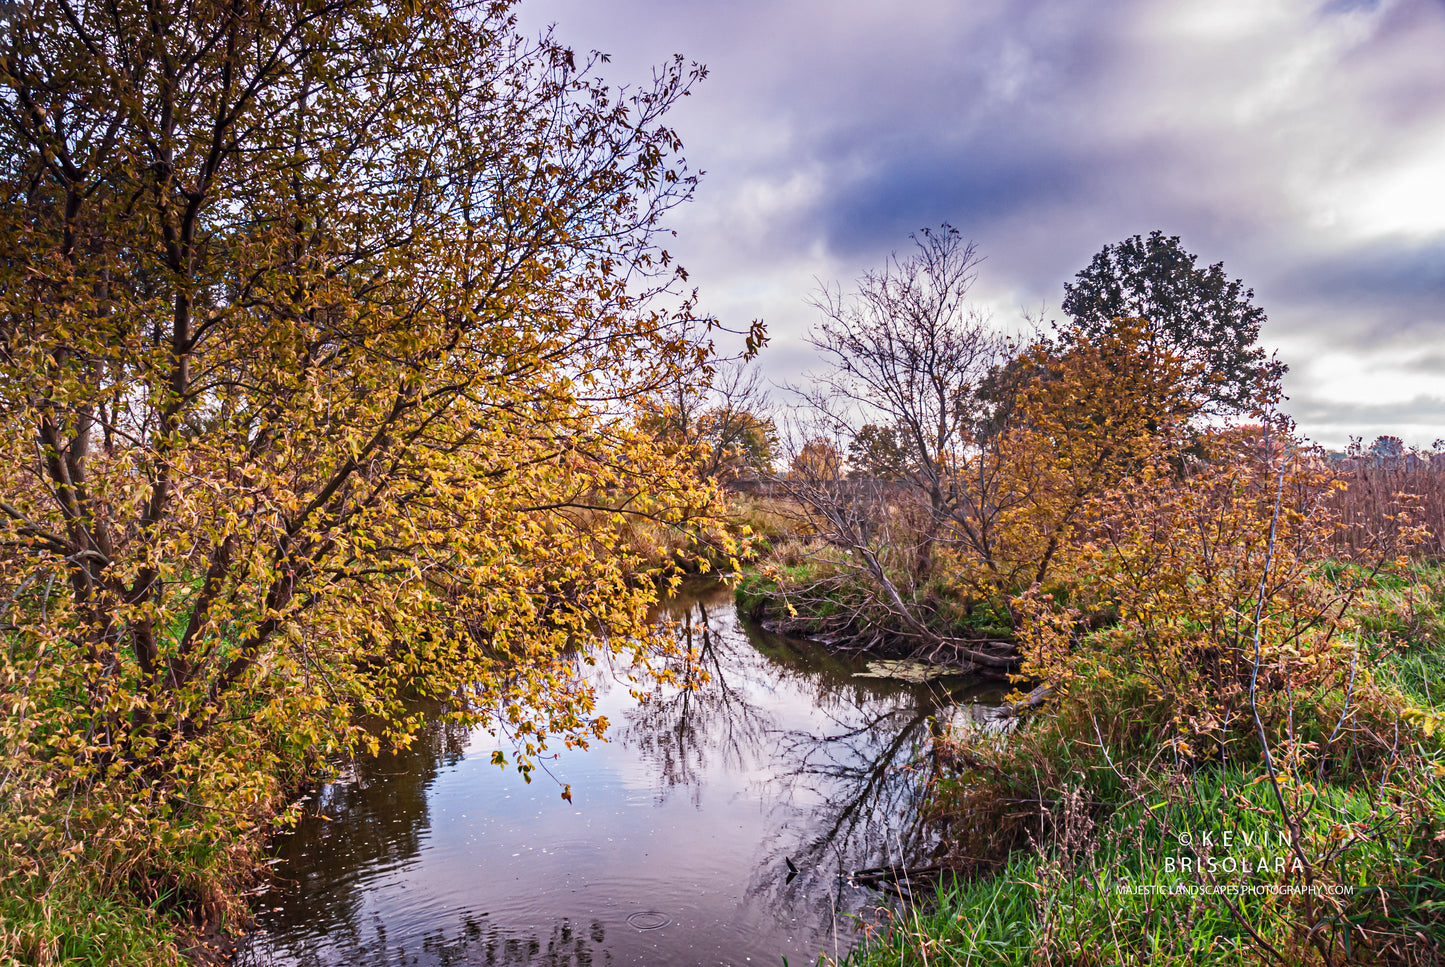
x=676, y=849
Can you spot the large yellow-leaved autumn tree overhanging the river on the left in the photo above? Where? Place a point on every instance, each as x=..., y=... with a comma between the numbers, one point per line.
x=323, y=327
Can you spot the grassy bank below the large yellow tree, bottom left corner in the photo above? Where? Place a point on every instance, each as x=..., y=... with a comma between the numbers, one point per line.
x=121, y=871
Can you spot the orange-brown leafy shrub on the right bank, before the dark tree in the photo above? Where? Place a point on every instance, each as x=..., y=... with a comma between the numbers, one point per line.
x=1213, y=602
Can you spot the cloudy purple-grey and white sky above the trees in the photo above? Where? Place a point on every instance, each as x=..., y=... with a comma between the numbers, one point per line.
x=1301, y=142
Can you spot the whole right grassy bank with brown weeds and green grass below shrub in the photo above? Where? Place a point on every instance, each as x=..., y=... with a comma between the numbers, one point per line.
x=1093, y=838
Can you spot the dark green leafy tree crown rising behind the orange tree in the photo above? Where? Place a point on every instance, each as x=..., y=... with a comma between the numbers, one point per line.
x=1196, y=313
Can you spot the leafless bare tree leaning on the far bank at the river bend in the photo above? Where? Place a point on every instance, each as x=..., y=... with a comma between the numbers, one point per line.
x=908, y=361
